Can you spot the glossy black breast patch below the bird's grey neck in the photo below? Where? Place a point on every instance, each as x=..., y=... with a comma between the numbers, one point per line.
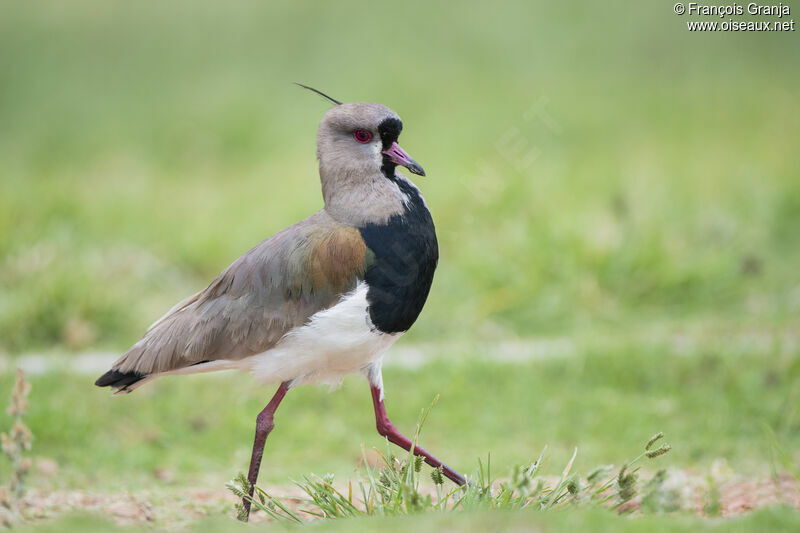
x=405, y=256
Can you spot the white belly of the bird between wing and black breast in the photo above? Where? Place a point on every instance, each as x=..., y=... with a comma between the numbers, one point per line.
x=335, y=342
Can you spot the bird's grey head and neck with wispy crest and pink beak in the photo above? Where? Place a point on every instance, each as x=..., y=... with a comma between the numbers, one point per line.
x=358, y=154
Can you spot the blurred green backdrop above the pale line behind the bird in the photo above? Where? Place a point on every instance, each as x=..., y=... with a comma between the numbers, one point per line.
x=587, y=166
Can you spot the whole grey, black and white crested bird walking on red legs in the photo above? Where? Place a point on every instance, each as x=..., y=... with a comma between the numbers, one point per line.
x=325, y=297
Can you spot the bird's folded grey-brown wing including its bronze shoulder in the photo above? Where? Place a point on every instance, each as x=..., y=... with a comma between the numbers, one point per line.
x=274, y=287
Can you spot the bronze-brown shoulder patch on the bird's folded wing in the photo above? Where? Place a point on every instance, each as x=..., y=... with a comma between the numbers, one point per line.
x=336, y=259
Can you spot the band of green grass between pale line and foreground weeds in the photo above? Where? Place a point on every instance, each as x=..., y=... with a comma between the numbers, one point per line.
x=712, y=403
